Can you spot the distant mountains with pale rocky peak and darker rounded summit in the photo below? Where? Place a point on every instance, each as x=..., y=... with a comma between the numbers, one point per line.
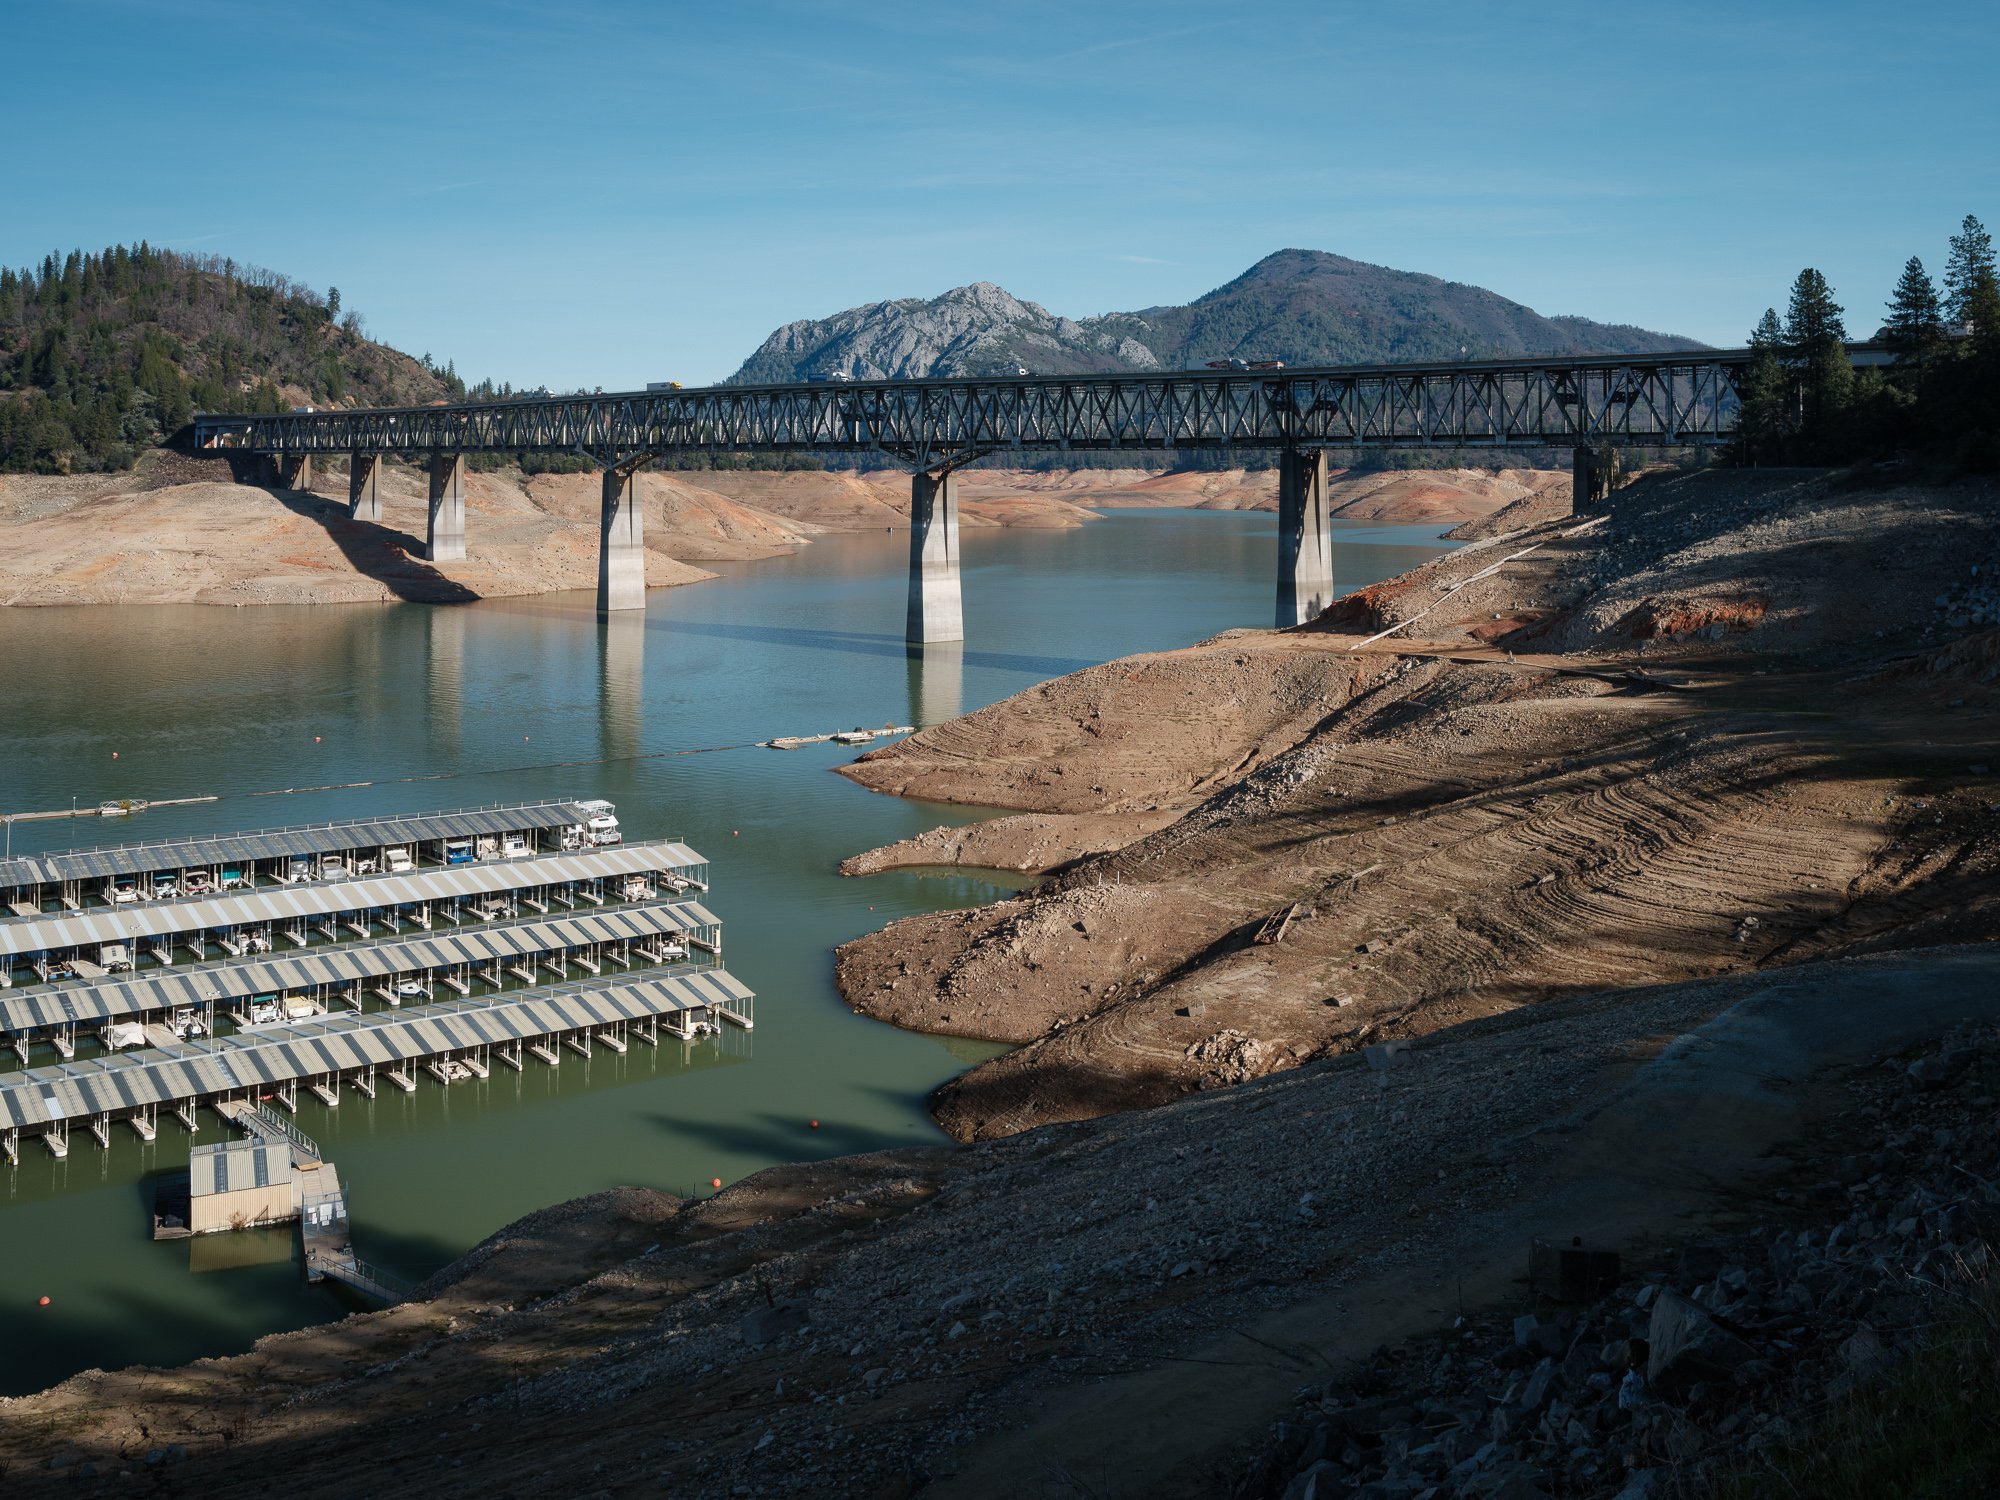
x=1303, y=307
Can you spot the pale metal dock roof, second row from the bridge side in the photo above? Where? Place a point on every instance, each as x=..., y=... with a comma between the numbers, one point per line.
x=31, y=935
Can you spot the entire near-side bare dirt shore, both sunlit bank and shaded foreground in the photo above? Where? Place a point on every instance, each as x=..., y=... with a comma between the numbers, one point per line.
x=1695, y=823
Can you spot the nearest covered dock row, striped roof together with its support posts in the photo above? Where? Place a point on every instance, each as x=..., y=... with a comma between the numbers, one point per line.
x=359, y=1051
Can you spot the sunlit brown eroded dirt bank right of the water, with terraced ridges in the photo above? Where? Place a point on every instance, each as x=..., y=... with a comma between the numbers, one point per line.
x=1597, y=755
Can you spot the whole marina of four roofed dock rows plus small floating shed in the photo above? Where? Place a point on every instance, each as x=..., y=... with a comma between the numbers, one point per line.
x=249, y=1029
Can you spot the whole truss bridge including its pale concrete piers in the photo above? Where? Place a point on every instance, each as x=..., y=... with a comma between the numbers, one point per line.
x=1587, y=403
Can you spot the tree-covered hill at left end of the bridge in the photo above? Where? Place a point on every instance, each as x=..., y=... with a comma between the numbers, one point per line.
x=105, y=353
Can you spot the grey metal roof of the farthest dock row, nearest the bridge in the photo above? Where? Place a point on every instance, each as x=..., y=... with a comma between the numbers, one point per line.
x=279, y=843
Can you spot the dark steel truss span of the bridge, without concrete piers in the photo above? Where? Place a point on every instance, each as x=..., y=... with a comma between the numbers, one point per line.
x=1651, y=401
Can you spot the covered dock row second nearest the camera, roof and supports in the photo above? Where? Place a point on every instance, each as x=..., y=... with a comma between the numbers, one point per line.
x=347, y=973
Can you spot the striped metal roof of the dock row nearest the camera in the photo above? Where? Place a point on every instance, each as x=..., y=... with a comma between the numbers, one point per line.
x=279, y=1055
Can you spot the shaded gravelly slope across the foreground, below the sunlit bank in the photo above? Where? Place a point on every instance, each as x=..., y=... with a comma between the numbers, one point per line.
x=1115, y=1309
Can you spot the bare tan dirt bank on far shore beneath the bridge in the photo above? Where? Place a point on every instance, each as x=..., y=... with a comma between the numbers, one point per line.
x=183, y=531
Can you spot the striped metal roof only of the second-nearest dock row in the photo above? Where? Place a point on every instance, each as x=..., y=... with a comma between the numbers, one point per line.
x=343, y=965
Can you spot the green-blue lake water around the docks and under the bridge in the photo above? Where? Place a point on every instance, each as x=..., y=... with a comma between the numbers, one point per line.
x=527, y=701
